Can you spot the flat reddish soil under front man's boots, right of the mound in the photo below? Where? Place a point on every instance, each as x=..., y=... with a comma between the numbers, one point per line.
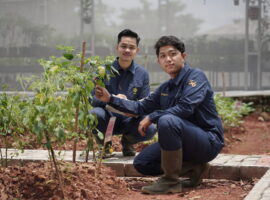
x=209, y=189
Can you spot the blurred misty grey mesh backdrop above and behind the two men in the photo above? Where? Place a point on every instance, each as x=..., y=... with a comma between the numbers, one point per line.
x=228, y=39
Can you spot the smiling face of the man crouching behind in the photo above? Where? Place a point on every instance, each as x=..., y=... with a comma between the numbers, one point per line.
x=127, y=49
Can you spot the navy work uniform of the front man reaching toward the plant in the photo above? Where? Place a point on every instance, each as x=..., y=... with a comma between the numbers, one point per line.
x=185, y=113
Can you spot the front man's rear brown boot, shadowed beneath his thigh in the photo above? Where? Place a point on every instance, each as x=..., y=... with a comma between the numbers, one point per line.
x=194, y=172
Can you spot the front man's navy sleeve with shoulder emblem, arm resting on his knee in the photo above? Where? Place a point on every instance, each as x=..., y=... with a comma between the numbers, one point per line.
x=187, y=99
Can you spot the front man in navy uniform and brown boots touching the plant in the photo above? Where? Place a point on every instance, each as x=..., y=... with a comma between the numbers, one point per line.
x=190, y=132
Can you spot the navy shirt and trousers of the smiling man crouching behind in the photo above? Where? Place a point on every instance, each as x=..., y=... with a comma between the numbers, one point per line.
x=134, y=83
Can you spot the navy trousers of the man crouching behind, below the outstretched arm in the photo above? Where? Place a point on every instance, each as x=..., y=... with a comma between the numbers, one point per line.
x=124, y=125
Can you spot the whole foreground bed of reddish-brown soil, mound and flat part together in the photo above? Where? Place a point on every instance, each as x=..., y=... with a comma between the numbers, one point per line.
x=35, y=181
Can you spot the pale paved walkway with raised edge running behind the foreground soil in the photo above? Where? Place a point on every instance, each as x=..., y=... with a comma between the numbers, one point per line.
x=225, y=166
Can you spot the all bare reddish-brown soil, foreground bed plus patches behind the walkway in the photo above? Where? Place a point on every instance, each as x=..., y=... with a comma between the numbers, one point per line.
x=36, y=180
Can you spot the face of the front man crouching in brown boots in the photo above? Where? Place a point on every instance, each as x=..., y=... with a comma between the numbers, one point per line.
x=171, y=60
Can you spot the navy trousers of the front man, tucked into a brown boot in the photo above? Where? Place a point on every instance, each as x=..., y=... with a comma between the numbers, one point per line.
x=175, y=133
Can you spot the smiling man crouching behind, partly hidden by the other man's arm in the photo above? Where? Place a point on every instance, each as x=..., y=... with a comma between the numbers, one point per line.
x=131, y=83
